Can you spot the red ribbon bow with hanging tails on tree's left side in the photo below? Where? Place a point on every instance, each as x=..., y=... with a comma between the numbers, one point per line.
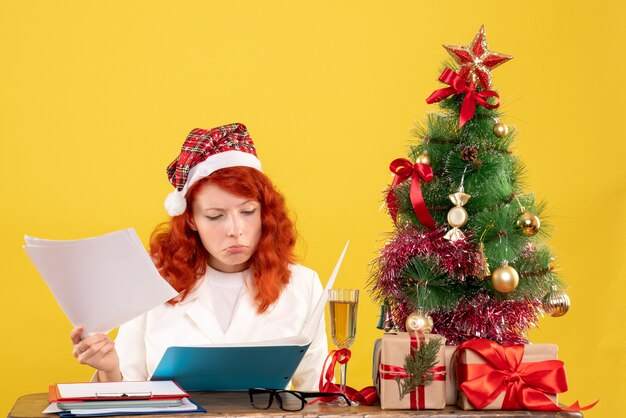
x=403, y=169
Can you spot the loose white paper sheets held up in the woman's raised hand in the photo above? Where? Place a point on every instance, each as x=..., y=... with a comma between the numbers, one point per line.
x=100, y=282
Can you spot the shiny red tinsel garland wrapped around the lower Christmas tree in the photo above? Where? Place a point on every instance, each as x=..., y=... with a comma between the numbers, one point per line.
x=477, y=316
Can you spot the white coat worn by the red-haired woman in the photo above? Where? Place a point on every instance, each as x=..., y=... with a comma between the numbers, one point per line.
x=142, y=341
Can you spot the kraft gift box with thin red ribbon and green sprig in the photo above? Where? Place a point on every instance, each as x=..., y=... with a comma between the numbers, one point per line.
x=396, y=385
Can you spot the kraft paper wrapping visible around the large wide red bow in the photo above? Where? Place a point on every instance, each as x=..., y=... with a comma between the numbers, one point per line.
x=533, y=353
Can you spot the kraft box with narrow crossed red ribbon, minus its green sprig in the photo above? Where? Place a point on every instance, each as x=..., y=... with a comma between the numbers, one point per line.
x=393, y=350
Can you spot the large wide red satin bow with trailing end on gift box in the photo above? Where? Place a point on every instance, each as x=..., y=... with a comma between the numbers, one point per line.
x=525, y=384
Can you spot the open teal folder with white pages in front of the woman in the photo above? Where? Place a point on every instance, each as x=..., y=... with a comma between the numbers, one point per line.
x=237, y=367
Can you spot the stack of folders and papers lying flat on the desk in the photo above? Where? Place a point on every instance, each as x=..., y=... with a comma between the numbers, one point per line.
x=119, y=398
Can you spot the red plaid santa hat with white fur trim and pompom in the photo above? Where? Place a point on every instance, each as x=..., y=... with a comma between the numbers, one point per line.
x=203, y=152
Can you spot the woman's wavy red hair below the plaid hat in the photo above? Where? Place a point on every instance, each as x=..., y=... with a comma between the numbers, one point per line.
x=181, y=258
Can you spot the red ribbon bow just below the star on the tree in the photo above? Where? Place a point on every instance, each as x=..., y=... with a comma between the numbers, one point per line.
x=459, y=86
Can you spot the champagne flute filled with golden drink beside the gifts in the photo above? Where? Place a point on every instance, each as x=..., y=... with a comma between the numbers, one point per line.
x=343, y=308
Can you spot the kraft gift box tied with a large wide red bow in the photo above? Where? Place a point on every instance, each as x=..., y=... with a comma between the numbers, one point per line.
x=491, y=376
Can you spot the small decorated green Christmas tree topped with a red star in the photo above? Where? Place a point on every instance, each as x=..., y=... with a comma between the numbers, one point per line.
x=468, y=255
